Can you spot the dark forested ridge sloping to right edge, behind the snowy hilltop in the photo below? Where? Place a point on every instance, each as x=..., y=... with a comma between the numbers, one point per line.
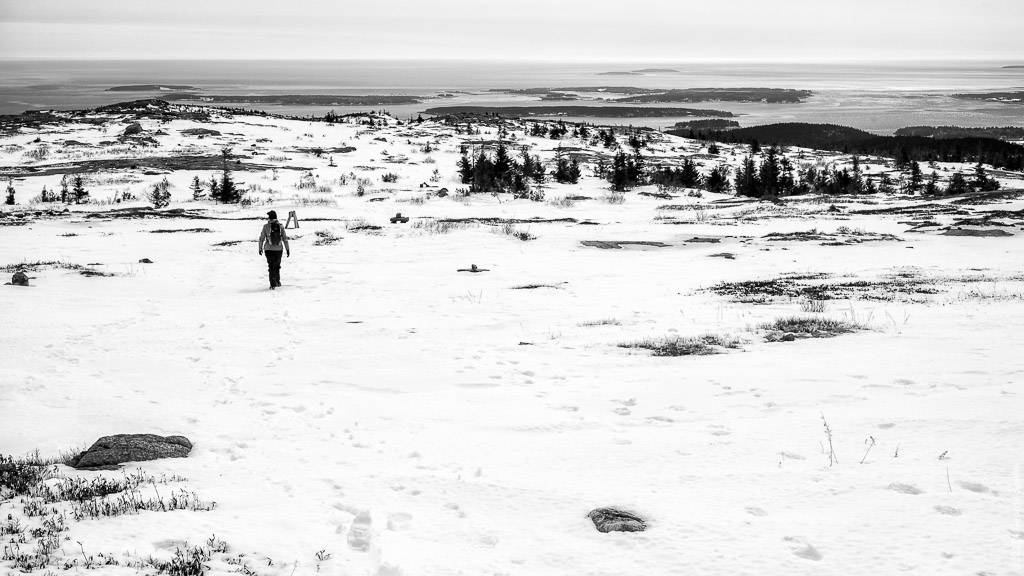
x=904, y=149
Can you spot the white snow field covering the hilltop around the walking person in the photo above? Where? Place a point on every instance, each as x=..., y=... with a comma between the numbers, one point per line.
x=385, y=415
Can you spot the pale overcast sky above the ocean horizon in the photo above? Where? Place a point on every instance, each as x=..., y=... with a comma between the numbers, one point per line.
x=548, y=30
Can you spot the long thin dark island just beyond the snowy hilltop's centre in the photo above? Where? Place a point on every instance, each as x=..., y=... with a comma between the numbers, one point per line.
x=577, y=111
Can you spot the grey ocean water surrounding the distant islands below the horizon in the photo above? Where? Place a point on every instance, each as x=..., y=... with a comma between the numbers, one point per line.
x=876, y=97
